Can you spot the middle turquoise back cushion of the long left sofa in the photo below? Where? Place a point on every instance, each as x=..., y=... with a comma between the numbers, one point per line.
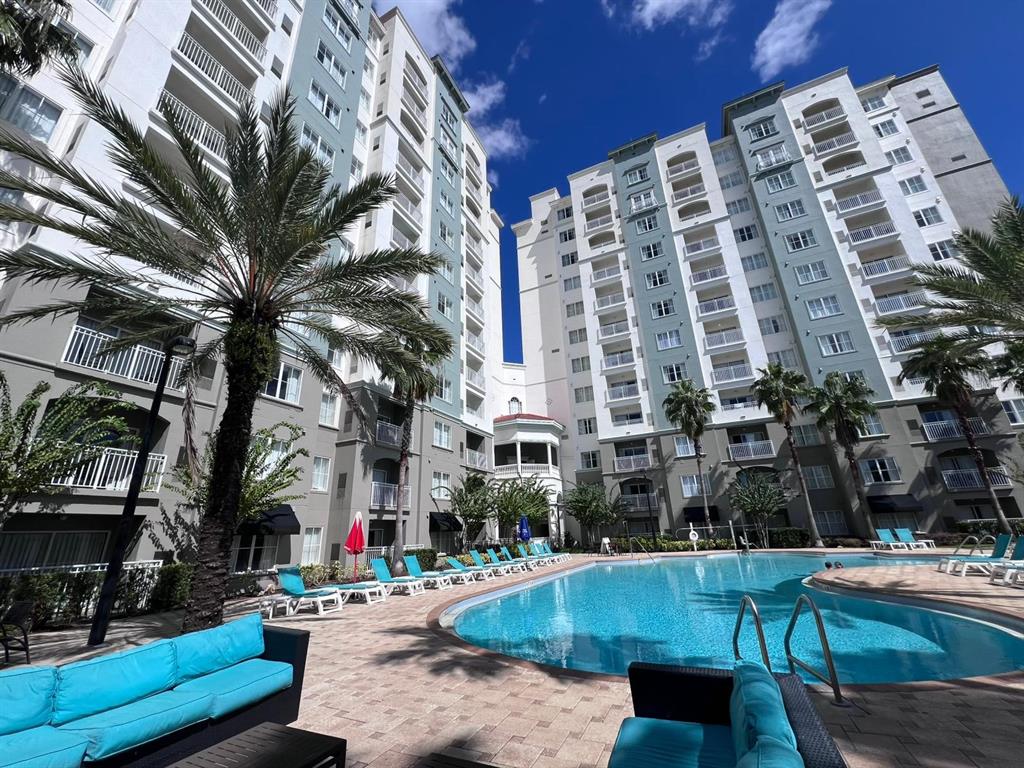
x=107, y=682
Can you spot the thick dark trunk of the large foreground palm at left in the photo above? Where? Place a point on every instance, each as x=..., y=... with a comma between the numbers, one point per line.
x=250, y=355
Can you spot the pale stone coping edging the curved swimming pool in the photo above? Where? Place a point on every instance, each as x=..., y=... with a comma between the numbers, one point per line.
x=435, y=625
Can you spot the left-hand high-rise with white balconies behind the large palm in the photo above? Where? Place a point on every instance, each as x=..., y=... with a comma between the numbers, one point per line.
x=369, y=99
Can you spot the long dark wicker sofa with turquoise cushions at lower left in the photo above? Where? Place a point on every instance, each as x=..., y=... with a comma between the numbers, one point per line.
x=153, y=705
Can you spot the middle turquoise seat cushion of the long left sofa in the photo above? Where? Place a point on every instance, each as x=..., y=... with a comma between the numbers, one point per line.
x=140, y=722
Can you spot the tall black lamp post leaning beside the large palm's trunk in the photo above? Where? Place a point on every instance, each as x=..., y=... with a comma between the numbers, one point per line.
x=180, y=346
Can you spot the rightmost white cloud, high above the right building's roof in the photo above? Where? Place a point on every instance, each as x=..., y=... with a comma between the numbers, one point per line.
x=790, y=38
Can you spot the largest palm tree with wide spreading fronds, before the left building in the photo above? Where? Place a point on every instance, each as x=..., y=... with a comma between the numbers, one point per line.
x=248, y=257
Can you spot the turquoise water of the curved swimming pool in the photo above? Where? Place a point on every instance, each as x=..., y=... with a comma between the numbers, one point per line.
x=682, y=611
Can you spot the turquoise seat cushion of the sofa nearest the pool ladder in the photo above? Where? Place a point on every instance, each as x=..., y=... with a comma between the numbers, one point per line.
x=647, y=743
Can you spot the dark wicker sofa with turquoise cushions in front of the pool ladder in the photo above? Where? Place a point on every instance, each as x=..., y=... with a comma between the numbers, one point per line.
x=703, y=718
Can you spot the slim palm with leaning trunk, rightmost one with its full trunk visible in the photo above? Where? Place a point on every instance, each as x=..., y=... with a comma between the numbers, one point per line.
x=947, y=369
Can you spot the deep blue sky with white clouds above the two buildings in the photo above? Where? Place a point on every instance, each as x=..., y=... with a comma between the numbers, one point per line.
x=556, y=84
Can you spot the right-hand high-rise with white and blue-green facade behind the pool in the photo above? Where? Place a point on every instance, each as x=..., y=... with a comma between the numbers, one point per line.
x=784, y=241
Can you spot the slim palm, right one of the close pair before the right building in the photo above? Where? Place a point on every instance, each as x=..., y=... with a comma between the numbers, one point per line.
x=841, y=405
